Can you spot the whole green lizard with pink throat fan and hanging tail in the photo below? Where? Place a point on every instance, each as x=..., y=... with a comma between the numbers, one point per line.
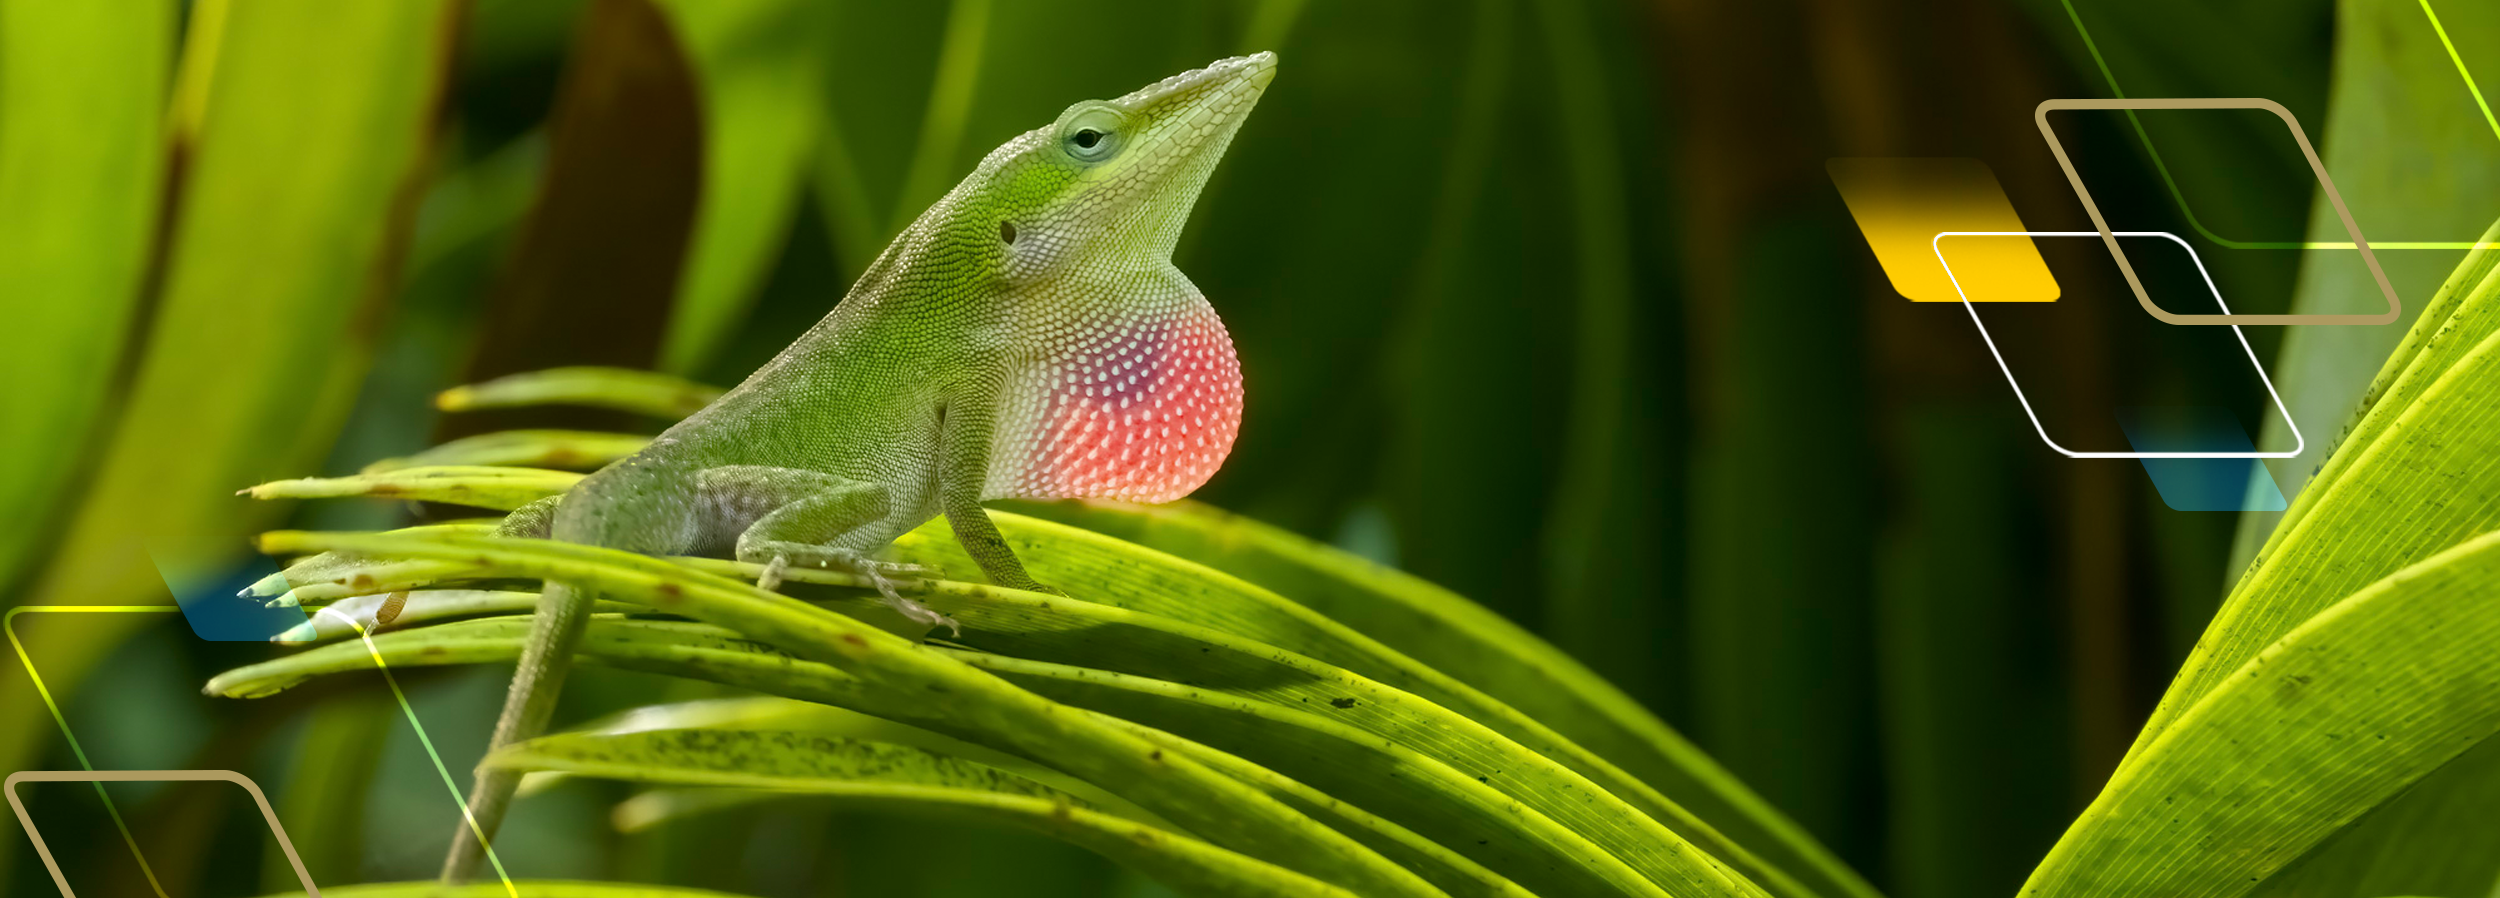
x=1024, y=339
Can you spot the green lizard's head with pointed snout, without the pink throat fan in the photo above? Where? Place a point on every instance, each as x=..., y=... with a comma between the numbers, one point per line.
x=1111, y=181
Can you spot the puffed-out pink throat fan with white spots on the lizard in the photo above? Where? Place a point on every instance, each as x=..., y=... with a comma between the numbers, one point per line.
x=1141, y=411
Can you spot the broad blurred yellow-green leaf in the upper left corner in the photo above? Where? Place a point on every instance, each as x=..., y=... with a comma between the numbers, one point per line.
x=81, y=169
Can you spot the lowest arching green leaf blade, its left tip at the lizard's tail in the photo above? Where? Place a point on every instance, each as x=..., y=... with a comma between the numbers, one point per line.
x=906, y=779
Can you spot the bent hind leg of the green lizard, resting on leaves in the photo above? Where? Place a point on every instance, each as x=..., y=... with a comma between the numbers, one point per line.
x=816, y=522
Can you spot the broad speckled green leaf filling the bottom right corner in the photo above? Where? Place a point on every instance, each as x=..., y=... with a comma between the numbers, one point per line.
x=2334, y=719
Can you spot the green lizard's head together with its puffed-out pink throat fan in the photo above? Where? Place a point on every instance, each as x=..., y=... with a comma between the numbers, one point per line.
x=1134, y=389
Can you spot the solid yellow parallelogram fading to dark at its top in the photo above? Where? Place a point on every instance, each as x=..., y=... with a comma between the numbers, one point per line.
x=1904, y=201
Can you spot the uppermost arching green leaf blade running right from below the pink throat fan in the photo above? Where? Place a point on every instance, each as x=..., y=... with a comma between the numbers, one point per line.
x=1486, y=652
